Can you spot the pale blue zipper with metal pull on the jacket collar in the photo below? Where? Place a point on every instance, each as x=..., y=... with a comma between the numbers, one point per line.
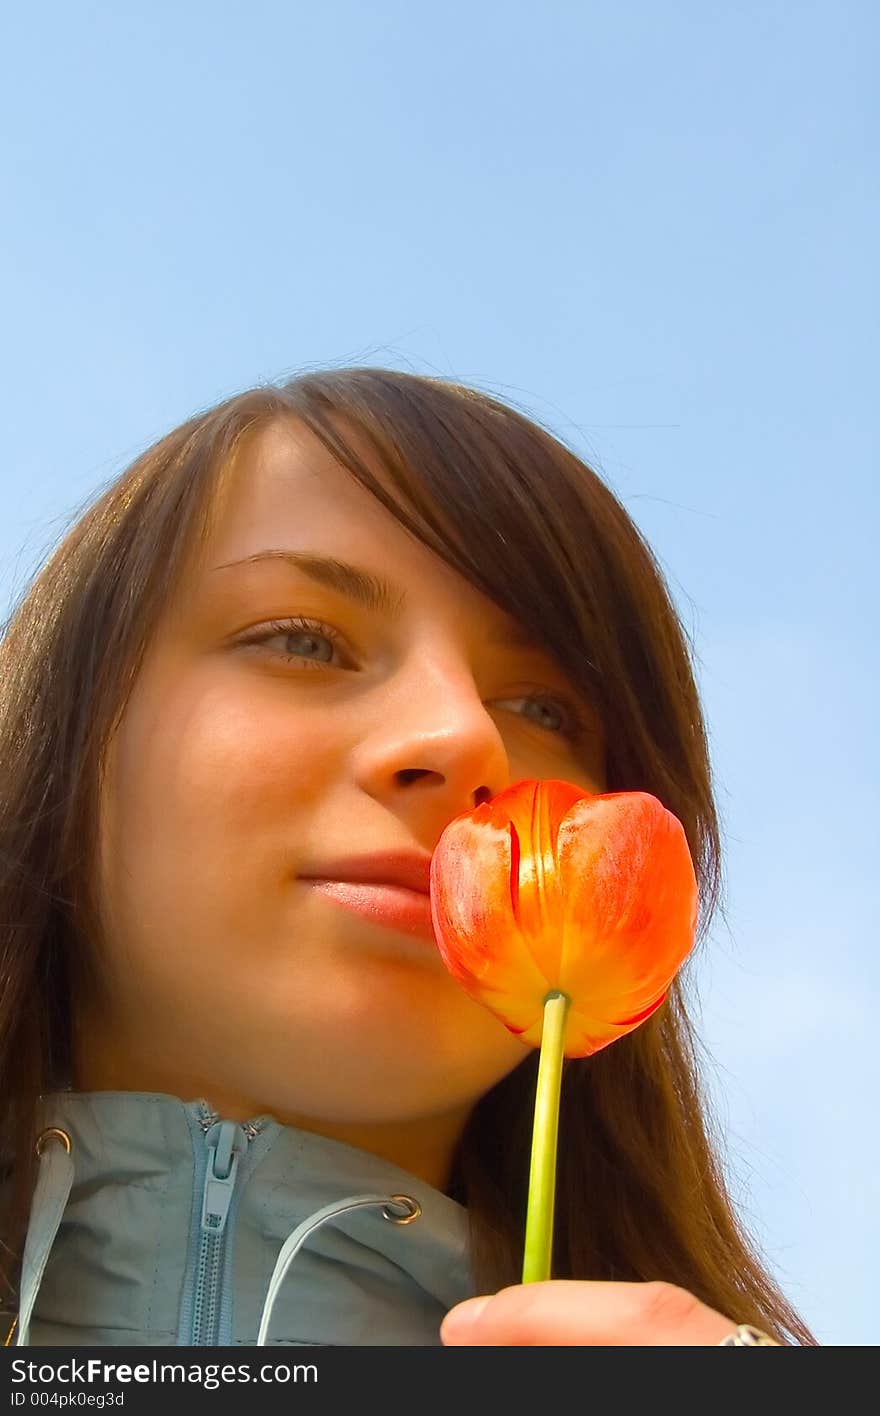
x=226, y=1146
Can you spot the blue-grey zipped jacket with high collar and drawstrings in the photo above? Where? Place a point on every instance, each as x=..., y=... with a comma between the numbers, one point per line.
x=165, y=1226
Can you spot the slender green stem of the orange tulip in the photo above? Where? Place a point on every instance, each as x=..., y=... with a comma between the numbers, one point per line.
x=542, y=1176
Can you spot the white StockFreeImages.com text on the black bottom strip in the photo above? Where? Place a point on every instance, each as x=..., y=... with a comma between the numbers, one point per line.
x=212, y=1376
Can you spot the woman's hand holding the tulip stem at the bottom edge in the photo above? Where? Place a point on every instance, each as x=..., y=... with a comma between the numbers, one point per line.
x=575, y=1313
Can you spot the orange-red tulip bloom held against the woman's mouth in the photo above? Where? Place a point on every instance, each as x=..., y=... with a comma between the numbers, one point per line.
x=552, y=889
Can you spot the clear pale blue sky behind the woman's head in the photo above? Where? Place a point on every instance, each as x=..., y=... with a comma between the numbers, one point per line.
x=657, y=227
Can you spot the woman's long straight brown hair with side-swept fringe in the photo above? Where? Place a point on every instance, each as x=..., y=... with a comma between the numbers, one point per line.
x=641, y=1192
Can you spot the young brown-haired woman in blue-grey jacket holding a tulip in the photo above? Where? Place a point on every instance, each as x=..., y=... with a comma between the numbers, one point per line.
x=243, y=1101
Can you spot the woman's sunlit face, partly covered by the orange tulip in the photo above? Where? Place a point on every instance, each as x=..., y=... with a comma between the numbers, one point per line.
x=242, y=765
